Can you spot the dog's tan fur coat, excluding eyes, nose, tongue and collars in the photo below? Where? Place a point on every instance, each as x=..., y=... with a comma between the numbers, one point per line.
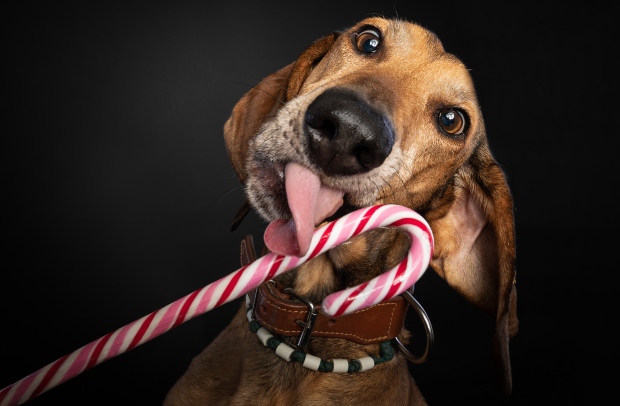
x=454, y=183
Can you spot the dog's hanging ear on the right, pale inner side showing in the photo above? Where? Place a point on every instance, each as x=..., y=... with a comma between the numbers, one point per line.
x=475, y=247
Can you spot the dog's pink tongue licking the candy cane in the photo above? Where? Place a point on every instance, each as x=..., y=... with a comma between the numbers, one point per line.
x=310, y=203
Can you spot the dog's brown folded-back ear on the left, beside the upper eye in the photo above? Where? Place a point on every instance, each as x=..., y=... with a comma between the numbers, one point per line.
x=264, y=100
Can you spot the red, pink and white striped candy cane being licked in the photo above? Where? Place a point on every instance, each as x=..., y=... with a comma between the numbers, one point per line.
x=238, y=283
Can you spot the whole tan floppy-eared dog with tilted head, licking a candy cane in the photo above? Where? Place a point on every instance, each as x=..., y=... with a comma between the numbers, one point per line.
x=375, y=114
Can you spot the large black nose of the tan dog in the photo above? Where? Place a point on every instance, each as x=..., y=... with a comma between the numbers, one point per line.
x=346, y=135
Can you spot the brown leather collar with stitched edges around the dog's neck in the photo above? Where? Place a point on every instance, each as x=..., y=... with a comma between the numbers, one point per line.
x=283, y=314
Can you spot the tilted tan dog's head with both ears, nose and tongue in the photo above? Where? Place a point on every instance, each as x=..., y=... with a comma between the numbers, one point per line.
x=380, y=113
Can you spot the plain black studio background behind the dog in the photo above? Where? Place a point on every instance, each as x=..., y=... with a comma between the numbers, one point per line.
x=119, y=194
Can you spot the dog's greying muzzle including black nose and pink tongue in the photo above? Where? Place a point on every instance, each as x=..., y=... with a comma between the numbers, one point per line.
x=333, y=149
